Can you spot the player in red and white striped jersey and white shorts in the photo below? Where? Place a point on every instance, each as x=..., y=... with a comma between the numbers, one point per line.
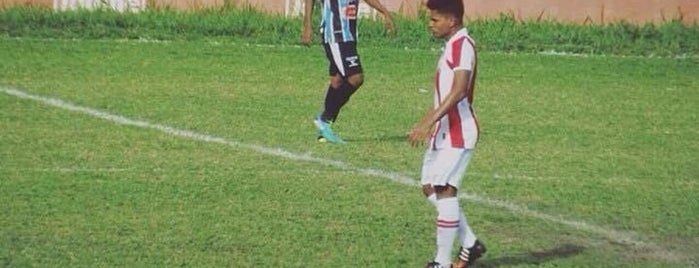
x=451, y=130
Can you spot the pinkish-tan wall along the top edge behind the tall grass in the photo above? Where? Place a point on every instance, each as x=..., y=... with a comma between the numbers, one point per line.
x=579, y=11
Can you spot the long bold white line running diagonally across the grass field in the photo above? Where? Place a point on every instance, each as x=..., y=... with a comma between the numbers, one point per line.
x=626, y=238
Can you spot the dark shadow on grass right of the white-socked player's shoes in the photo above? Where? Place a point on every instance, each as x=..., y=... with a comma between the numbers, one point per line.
x=533, y=257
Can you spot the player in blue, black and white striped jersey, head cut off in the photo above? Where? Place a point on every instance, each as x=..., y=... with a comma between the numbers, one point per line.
x=338, y=28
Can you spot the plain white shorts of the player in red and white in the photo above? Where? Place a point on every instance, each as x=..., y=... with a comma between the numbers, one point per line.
x=445, y=166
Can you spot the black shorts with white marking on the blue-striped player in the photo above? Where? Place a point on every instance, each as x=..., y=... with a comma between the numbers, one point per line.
x=343, y=58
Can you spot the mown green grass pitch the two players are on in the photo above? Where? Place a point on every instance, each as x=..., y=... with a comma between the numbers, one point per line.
x=126, y=153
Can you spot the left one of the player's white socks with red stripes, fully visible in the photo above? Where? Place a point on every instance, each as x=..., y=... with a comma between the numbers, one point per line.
x=447, y=227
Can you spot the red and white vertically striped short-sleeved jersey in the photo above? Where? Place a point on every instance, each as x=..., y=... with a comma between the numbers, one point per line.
x=459, y=127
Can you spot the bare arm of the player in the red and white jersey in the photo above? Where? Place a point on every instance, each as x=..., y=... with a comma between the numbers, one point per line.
x=420, y=133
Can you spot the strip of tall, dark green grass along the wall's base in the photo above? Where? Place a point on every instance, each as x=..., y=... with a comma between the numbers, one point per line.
x=504, y=33
